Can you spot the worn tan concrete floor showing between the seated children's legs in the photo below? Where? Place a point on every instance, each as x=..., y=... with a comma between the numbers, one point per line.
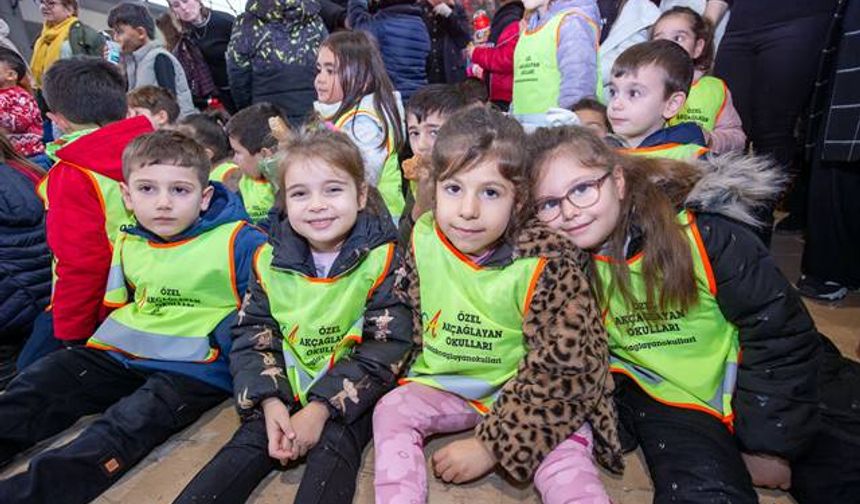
x=166, y=471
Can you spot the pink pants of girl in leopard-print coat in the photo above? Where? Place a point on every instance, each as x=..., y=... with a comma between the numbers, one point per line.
x=408, y=414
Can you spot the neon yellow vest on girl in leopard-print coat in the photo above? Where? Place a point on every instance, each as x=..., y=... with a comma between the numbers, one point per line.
x=473, y=318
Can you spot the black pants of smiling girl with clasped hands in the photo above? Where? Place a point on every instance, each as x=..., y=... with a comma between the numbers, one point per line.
x=329, y=478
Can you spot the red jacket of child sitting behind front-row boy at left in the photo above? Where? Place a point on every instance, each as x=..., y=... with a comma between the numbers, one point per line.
x=76, y=225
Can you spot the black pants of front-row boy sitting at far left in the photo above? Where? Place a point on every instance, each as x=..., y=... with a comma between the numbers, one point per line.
x=142, y=411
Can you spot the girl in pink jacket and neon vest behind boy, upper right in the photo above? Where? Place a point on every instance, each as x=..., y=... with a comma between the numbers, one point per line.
x=709, y=103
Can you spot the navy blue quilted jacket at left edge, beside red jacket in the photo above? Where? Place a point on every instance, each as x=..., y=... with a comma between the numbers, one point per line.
x=25, y=262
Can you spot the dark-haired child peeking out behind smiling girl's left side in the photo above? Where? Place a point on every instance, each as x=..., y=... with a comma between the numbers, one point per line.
x=254, y=149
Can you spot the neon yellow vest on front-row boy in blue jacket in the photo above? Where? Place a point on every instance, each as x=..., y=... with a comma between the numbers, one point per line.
x=182, y=291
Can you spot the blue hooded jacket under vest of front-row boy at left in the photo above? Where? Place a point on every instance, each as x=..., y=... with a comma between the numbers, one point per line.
x=224, y=207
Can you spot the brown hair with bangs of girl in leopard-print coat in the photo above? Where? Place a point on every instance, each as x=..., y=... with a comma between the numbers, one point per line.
x=481, y=134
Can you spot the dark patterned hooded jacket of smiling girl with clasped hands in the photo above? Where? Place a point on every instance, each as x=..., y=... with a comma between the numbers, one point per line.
x=365, y=375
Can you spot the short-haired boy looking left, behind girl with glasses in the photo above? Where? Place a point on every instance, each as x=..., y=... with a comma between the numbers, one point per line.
x=649, y=86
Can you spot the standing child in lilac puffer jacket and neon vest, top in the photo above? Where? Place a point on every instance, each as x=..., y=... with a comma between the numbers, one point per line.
x=555, y=60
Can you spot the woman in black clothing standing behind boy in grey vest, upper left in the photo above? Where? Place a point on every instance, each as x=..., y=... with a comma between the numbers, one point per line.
x=201, y=49
